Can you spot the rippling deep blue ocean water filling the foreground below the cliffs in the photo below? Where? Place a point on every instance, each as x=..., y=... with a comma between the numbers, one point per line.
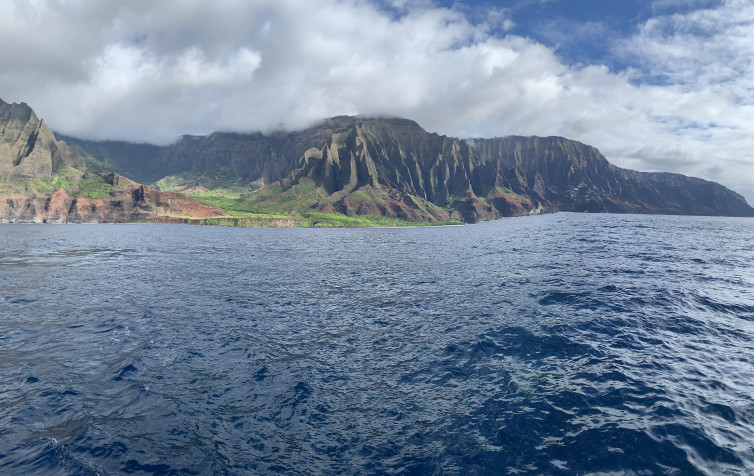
x=559, y=344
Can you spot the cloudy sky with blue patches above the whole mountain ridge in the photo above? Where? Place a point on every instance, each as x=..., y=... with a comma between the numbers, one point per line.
x=655, y=85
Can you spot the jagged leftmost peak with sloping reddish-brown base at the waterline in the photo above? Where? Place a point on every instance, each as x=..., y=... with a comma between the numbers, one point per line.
x=42, y=179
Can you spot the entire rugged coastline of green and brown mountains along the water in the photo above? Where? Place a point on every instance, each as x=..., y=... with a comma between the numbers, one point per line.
x=344, y=171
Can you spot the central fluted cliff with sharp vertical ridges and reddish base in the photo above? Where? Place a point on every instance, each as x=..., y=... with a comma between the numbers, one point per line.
x=431, y=176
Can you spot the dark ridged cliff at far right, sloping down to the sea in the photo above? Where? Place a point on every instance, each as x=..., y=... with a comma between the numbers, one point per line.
x=577, y=177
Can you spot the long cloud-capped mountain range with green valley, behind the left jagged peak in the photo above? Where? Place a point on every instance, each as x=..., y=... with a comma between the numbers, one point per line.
x=393, y=168
